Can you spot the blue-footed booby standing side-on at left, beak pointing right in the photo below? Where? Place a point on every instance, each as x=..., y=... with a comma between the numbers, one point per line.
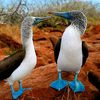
x=17, y=69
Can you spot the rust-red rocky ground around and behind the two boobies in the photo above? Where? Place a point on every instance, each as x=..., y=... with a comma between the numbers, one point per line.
x=46, y=71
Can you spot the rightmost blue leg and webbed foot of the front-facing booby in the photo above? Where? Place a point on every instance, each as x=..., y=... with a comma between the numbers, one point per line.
x=76, y=85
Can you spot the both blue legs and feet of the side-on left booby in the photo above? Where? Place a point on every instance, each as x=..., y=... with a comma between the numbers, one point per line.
x=16, y=94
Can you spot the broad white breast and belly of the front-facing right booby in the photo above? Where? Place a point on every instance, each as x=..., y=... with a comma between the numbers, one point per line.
x=70, y=56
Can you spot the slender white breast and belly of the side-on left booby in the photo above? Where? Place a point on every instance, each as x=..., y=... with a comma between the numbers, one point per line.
x=27, y=64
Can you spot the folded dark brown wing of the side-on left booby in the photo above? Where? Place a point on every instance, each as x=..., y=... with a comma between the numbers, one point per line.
x=9, y=64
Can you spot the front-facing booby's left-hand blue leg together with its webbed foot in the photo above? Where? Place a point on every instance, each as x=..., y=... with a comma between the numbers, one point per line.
x=60, y=83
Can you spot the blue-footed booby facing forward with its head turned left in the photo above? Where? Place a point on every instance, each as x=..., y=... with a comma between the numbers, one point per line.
x=70, y=51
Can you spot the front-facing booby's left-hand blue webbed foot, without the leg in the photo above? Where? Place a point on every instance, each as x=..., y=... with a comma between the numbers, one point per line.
x=59, y=84
